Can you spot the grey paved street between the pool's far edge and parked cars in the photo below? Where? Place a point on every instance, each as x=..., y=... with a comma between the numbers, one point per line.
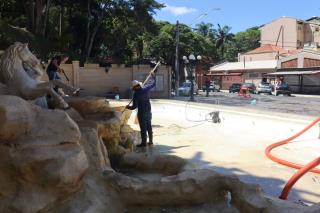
x=295, y=104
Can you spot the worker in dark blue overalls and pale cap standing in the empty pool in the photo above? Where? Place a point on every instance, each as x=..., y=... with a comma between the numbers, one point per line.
x=141, y=100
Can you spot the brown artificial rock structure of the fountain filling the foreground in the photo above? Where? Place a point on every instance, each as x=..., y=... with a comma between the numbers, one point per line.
x=81, y=160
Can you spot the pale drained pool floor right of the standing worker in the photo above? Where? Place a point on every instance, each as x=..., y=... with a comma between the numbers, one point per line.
x=236, y=146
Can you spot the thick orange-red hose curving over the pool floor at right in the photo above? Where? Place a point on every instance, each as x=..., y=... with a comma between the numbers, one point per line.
x=302, y=168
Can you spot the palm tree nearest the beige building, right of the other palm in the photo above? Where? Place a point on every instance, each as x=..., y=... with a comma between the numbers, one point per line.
x=223, y=36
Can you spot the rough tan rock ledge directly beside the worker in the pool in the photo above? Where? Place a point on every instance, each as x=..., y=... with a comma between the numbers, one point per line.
x=111, y=122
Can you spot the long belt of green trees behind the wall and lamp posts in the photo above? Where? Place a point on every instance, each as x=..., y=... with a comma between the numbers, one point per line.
x=123, y=30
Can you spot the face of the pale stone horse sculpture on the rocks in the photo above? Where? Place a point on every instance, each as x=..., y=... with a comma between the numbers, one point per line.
x=30, y=63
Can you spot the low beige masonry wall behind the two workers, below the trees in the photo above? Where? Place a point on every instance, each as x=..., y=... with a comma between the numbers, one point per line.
x=99, y=81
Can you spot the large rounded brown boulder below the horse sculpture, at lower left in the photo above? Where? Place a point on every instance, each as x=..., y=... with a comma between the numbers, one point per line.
x=41, y=159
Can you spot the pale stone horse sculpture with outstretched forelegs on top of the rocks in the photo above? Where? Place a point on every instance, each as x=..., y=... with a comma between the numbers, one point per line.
x=21, y=72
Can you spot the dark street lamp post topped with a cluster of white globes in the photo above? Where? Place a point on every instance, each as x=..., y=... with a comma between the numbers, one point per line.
x=190, y=64
